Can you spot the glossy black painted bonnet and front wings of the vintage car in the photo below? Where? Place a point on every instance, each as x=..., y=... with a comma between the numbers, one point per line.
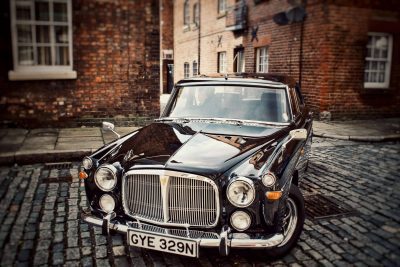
x=206, y=148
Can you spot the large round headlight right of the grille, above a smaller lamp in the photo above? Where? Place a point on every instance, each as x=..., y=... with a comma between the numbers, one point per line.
x=241, y=192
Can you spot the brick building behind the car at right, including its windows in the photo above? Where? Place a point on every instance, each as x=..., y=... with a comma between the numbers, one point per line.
x=345, y=54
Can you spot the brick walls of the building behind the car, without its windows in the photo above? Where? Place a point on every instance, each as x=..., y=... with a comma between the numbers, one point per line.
x=334, y=40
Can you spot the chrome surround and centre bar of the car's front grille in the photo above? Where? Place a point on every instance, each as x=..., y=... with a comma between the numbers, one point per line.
x=163, y=173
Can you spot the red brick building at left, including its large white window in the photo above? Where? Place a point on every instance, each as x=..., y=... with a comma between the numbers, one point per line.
x=71, y=62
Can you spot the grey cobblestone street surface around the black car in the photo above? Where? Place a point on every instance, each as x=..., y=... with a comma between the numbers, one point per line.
x=39, y=216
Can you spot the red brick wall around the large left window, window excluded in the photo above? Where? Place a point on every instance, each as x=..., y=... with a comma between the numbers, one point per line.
x=115, y=55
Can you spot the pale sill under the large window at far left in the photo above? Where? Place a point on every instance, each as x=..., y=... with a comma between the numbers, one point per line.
x=41, y=75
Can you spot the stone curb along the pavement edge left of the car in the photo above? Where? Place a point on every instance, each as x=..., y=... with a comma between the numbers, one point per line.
x=40, y=156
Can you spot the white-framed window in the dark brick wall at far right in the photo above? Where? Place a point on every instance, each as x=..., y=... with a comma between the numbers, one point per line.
x=378, y=60
